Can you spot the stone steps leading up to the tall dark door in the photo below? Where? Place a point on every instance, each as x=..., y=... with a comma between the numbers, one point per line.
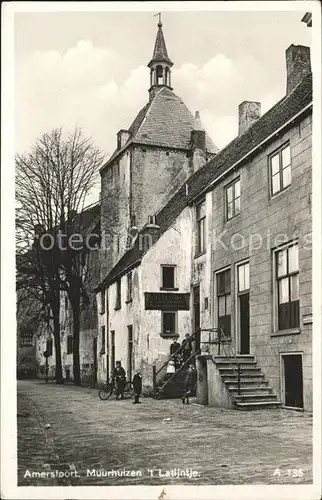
x=255, y=392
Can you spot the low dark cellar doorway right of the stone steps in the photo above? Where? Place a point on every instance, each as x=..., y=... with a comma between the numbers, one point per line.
x=293, y=380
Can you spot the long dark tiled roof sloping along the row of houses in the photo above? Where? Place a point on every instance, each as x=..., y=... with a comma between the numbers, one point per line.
x=201, y=180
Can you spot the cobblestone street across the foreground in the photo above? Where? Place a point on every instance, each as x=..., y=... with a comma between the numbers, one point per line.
x=222, y=446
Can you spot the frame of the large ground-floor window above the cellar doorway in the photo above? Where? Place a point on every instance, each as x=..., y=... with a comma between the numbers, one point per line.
x=277, y=330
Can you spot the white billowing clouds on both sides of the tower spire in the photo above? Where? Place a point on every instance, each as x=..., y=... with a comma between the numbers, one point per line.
x=86, y=86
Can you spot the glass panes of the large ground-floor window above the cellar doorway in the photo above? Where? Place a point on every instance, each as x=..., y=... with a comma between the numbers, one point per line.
x=287, y=276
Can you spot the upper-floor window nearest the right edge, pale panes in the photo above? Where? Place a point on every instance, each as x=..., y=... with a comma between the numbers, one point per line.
x=280, y=170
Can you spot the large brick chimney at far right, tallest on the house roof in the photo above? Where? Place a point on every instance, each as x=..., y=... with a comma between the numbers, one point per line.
x=298, y=65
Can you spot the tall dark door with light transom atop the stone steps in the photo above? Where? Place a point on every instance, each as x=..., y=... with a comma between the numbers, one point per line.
x=243, y=307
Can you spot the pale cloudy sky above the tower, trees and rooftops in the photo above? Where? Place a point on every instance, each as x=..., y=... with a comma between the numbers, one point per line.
x=90, y=68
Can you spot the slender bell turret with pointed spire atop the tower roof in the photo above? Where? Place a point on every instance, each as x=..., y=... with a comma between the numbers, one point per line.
x=160, y=64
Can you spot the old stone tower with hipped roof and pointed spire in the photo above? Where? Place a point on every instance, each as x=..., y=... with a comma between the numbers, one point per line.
x=154, y=156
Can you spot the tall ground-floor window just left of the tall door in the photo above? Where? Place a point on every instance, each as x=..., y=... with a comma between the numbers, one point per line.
x=224, y=301
